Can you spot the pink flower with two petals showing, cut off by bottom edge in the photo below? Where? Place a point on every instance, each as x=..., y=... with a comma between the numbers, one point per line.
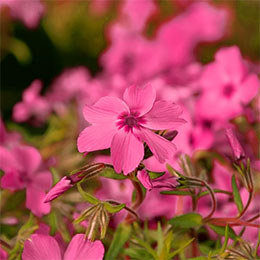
x=40, y=247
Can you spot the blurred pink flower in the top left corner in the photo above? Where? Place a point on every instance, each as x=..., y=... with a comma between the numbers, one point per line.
x=29, y=12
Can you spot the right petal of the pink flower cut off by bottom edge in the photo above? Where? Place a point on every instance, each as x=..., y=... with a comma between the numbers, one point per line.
x=83, y=249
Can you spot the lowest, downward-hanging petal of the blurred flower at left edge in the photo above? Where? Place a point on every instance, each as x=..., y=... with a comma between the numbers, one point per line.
x=34, y=202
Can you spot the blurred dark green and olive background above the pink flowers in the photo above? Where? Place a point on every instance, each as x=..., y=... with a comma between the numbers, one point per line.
x=40, y=41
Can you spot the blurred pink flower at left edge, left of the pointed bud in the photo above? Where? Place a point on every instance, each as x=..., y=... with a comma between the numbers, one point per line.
x=22, y=170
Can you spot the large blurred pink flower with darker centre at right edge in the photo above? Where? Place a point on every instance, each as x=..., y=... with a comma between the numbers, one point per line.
x=227, y=84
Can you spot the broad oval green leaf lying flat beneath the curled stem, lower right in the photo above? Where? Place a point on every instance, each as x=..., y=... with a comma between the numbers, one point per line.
x=189, y=220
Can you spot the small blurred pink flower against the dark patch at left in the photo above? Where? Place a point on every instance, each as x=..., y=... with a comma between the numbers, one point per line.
x=33, y=105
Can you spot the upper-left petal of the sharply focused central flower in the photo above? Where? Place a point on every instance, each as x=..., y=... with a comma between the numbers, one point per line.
x=105, y=110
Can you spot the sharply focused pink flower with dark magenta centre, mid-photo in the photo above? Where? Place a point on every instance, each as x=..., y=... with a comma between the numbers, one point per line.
x=124, y=125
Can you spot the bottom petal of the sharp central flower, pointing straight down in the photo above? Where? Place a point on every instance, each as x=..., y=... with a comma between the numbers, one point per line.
x=127, y=151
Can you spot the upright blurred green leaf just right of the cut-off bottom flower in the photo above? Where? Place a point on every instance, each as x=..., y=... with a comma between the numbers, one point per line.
x=121, y=236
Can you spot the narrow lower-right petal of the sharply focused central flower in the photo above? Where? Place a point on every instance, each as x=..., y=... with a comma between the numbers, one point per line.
x=160, y=147
